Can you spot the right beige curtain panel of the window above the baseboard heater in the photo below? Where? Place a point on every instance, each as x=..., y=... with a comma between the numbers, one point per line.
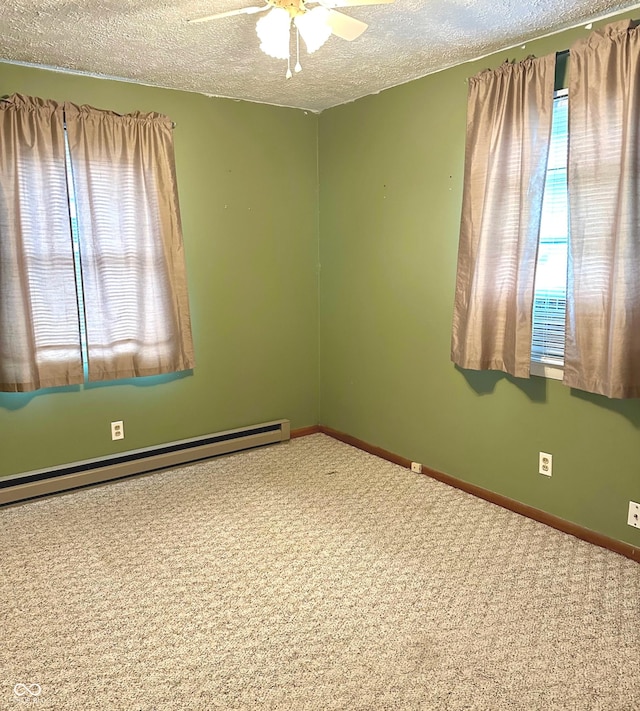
x=132, y=257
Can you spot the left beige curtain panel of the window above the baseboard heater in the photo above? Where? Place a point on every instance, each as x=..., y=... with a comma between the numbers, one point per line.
x=39, y=328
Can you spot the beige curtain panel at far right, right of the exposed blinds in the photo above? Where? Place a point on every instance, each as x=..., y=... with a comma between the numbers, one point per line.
x=602, y=353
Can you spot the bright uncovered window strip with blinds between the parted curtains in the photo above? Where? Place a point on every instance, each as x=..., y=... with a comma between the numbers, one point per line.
x=550, y=291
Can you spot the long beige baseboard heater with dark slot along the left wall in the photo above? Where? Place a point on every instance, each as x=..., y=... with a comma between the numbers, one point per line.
x=18, y=487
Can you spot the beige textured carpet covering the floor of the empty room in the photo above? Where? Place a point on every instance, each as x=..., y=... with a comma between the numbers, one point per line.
x=307, y=575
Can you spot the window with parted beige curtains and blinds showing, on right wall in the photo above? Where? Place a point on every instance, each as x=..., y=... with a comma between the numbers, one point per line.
x=512, y=310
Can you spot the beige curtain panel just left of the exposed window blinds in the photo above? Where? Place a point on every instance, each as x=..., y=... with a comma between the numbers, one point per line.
x=509, y=116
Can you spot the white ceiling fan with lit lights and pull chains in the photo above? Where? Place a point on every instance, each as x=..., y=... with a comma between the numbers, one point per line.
x=314, y=24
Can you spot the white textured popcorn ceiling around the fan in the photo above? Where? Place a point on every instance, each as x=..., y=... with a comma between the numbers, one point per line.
x=149, y=41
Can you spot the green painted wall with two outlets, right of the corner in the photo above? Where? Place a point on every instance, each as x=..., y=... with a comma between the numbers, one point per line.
x=391, y=171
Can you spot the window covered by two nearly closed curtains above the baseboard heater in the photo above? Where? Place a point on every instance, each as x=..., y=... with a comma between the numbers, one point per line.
x=92, y=274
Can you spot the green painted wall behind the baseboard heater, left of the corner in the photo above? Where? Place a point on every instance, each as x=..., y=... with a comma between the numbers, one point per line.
x=247, y=179
